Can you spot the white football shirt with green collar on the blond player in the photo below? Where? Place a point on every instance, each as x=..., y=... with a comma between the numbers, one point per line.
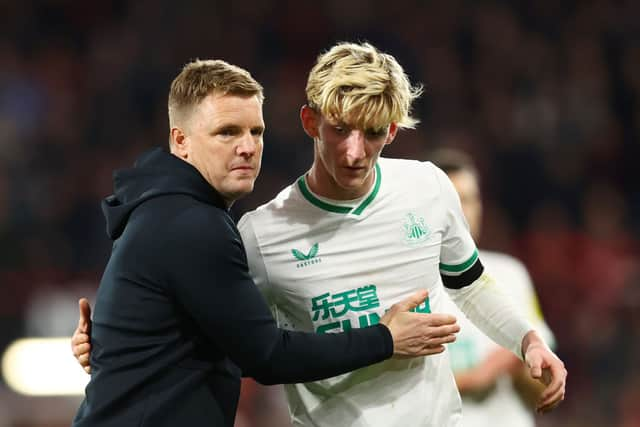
x=327, y=266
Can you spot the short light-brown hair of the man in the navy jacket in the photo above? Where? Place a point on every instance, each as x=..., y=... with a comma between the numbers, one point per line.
x=200, y=78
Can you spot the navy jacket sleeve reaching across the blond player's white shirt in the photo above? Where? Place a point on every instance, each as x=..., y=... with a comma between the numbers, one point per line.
x=210, y=279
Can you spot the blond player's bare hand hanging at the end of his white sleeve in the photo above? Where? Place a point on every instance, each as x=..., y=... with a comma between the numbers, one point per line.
x=546, y=367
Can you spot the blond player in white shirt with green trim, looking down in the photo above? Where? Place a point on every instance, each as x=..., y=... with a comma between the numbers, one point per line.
x=358, y=232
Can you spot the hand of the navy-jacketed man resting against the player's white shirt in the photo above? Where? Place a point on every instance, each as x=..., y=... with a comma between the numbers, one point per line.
x=418, y=334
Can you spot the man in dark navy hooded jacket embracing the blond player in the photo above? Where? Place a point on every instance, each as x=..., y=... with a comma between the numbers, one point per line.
x=177, y=317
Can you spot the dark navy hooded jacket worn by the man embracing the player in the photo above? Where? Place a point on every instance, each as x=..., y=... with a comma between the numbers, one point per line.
x=177, y=318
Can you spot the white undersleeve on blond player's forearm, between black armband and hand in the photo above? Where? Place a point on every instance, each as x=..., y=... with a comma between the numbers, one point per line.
x=494, y=312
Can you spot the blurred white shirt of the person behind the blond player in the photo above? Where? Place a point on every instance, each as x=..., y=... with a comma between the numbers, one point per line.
x=502, y=406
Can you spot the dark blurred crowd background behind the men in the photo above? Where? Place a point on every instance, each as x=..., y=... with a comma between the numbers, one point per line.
x=545, y=95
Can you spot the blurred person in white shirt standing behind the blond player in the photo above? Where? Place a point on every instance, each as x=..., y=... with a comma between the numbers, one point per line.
x=495, y=387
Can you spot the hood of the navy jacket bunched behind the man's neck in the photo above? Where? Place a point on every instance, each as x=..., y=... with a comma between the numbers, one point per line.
x=156, y=173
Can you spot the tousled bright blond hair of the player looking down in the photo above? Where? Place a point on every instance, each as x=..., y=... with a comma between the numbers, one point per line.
x=362, y=86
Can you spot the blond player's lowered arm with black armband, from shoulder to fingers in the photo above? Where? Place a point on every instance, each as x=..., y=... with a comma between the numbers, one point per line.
x=490, y=309
